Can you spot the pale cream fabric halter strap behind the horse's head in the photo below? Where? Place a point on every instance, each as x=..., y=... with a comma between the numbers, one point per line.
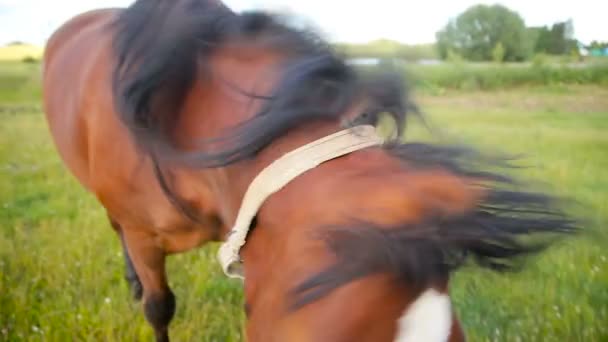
x=278, y=174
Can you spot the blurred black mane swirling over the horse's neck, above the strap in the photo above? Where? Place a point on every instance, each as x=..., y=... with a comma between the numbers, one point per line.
x=161, y=45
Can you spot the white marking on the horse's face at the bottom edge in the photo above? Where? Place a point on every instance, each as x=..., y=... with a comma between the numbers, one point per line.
x=428, y=319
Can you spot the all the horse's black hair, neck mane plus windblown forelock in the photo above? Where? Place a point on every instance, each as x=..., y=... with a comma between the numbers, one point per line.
x=161, y=45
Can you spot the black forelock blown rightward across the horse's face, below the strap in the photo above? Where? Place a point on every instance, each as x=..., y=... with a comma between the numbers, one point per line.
x=508, y=224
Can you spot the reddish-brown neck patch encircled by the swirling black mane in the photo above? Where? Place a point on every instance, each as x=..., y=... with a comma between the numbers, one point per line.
x=218, y=99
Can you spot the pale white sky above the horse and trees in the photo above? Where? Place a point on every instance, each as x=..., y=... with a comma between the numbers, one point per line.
x=411, y=22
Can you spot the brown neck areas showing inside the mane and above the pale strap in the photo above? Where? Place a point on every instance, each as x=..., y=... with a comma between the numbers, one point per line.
x=218, y=102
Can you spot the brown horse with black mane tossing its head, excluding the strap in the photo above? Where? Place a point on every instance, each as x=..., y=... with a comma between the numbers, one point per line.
x=167, y=111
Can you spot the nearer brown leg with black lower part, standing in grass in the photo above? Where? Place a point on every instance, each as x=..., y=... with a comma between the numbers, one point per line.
x=149, y=263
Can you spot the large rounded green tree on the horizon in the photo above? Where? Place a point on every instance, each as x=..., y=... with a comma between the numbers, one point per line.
x=475, y=34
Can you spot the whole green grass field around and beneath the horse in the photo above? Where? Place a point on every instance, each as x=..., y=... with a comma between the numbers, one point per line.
x=61, y=265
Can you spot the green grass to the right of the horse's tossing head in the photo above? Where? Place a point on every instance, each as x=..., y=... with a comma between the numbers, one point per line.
x=563, y=295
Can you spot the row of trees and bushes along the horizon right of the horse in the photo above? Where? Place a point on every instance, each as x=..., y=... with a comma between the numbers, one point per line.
x=482, y=33
